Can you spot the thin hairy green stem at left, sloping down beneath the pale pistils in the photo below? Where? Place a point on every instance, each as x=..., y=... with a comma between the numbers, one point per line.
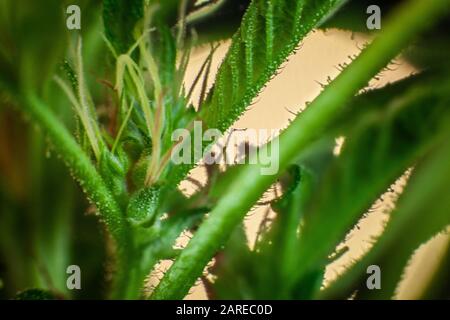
x=90, y=181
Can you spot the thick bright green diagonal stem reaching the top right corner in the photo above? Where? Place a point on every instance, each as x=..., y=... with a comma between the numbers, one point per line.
x=410, y=19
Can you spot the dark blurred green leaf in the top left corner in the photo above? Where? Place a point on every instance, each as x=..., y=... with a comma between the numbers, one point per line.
x=29, y=54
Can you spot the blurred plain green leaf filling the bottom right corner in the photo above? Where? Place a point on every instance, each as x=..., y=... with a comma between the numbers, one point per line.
x=423, y=211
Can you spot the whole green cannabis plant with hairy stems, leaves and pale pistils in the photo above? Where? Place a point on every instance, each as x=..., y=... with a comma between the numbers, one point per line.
x=102, y=86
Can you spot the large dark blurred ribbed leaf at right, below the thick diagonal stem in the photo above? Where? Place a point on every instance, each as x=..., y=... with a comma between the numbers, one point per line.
x=379, y=148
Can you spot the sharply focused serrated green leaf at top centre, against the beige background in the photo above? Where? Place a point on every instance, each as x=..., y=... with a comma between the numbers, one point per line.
x=269, y=33
